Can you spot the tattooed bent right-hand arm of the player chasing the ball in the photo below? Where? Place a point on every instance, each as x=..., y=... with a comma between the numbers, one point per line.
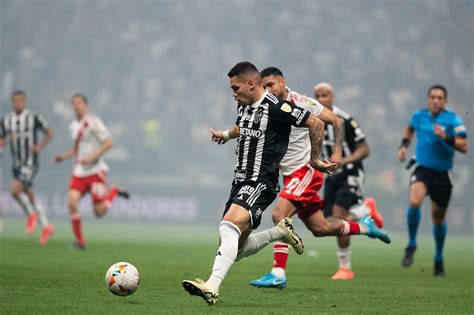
x=316, y=132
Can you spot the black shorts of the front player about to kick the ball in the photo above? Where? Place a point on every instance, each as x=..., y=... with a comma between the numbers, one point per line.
x=253, y=196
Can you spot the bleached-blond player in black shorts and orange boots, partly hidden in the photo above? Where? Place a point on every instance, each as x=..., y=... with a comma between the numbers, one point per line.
x=343, y=192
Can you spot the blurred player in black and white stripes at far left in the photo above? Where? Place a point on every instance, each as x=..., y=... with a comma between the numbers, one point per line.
x=21, y=127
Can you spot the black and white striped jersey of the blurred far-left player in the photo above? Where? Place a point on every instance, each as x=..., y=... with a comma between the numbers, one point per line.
x=21, y=130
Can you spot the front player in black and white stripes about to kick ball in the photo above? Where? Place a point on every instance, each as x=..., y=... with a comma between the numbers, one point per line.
x=263, y=127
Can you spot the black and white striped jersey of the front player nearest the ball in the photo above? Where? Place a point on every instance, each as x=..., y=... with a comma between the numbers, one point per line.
x=264, y=135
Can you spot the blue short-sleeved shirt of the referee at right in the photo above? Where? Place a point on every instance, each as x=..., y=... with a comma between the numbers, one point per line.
x=431, y=151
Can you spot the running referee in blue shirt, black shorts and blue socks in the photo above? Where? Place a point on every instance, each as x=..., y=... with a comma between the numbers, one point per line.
x=440, y=133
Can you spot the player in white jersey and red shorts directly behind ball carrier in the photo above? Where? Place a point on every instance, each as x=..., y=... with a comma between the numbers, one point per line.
x=302, y=183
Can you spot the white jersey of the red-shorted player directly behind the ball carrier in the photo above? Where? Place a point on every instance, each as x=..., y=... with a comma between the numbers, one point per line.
x=299, y=147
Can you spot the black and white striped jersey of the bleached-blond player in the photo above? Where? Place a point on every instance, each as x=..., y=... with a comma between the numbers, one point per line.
x=353, y=136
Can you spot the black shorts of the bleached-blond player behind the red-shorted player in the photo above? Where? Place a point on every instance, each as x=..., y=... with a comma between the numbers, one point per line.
x=344, y=190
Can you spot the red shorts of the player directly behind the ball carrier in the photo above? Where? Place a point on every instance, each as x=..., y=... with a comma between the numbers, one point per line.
x=301, y=188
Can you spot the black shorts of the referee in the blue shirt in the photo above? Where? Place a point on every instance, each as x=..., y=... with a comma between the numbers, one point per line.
x=438, y=184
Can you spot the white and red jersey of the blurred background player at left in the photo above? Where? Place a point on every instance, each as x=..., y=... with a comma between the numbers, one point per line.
x=88, y=135
